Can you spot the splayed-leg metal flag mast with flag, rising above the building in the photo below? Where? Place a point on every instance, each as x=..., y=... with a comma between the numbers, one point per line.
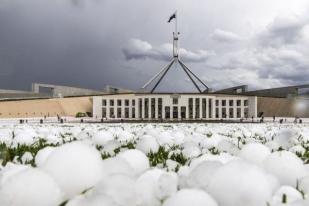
x=176, y=60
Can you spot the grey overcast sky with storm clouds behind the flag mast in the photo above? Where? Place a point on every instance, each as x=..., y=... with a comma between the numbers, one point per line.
x=93, y=43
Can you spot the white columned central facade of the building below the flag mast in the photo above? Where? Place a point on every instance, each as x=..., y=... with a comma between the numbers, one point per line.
x=138, y=106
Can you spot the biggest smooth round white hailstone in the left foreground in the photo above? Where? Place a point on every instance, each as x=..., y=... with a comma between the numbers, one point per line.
x=75, y=167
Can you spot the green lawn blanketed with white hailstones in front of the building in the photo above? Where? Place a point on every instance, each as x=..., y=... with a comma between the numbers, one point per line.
x=154, y=165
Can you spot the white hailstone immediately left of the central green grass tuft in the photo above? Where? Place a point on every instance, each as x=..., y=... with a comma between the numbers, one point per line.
x=136, y=159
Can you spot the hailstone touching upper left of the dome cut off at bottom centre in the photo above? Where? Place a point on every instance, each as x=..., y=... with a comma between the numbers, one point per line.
x=155, y=185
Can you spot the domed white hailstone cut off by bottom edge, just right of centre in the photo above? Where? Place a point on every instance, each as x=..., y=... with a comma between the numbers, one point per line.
x=192, y=197
